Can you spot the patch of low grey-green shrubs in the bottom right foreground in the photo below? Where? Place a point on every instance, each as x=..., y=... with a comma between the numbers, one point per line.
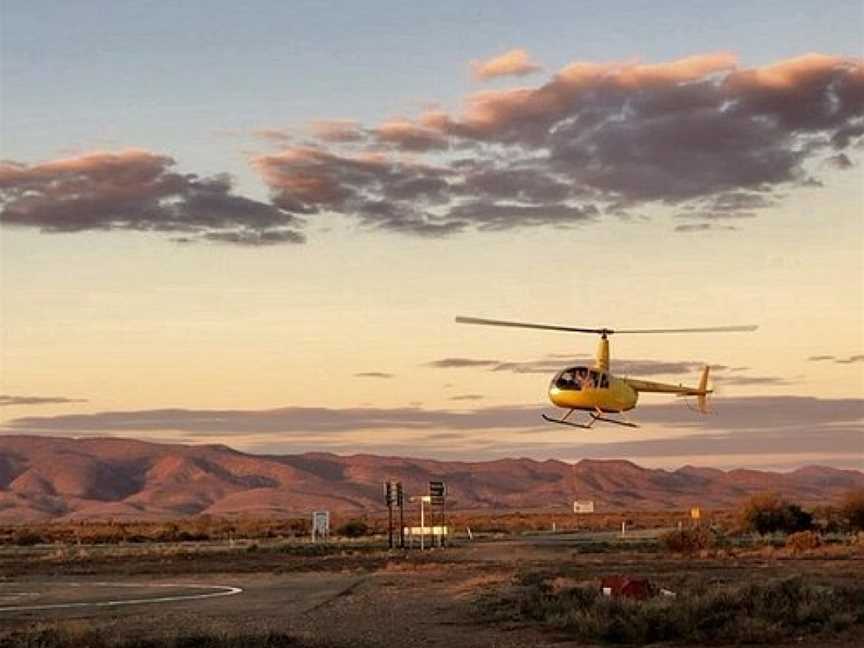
x=701, y=613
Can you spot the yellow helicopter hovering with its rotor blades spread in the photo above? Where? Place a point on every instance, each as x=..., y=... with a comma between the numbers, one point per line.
x=598, y=392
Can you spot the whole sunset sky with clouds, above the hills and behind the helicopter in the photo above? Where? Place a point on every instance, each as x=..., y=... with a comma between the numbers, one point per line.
x=254, y=225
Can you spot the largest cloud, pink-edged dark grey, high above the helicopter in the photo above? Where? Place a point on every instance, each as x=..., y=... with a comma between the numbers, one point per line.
x=703, y=134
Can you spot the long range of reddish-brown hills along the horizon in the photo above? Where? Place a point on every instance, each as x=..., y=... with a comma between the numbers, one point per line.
x=44, y=478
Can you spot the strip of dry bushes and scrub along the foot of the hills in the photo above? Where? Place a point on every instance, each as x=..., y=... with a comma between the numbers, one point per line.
x=762, y=514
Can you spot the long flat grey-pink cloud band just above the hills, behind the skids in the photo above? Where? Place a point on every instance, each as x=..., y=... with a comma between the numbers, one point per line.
x=754, y=426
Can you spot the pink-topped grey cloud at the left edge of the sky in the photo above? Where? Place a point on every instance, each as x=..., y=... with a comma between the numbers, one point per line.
x=136, y=190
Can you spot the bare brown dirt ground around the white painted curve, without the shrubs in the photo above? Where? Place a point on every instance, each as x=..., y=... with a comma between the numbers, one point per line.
x=352, y=595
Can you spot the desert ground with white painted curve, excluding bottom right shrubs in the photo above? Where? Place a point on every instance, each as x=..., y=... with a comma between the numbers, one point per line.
x=361, y=594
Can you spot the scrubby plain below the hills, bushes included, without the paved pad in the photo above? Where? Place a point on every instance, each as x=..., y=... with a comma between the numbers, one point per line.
x=769, y=572
